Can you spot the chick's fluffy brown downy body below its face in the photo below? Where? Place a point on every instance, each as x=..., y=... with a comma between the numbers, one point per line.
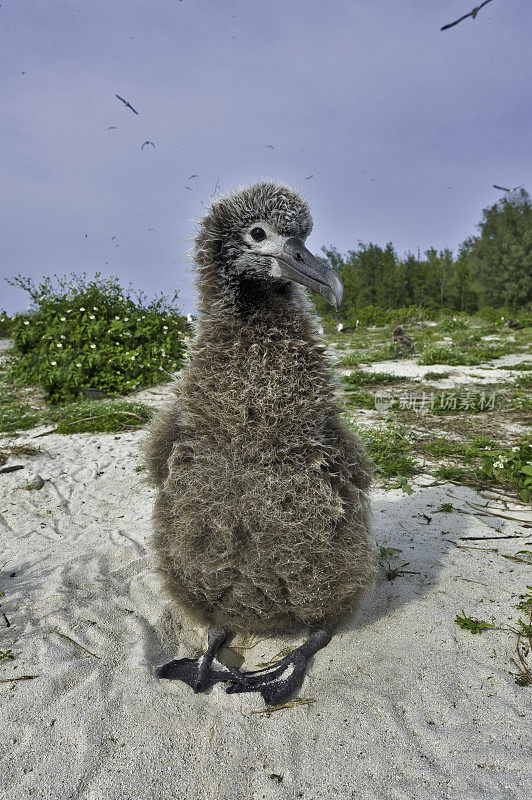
x=262, y=517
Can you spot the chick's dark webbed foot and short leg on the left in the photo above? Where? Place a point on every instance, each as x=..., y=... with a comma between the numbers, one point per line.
x=200, y=673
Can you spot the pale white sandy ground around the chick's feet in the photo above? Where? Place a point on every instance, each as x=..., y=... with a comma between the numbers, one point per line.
x=408, y=706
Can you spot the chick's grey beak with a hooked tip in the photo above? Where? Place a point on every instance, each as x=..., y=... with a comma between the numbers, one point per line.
x=298, y=264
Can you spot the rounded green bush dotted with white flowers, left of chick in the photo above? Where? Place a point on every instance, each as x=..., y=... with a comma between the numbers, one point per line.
x=82, y=333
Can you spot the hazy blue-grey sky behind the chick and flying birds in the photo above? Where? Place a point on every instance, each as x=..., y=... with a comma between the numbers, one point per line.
x=404, y=128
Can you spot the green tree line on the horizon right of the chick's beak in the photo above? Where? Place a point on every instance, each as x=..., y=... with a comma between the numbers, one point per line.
x=493, y=268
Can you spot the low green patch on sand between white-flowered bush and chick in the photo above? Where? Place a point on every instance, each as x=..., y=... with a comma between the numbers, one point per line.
x=100, y=416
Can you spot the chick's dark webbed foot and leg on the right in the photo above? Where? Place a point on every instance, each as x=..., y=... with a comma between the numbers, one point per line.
x=278, y=682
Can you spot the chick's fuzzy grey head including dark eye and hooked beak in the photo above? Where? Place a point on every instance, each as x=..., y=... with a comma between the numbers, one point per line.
x=257, y=234
